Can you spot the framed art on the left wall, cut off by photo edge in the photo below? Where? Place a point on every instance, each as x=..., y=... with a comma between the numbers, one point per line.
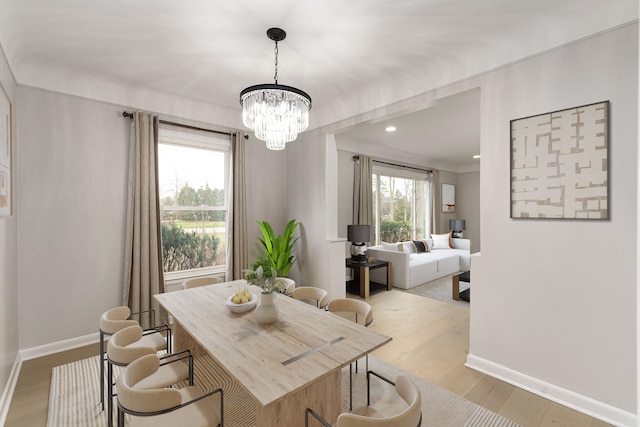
x=6, y=177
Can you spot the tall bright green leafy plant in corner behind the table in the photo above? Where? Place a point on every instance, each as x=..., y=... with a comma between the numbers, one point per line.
x=278, y=249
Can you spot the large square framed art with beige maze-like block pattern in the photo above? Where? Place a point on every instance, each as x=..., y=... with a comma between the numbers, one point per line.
x=560, y=164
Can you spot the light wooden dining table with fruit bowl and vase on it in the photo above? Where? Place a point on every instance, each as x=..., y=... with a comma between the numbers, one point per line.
x=287, y=366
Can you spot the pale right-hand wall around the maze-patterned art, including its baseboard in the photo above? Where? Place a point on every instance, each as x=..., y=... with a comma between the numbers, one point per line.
x=554, y=301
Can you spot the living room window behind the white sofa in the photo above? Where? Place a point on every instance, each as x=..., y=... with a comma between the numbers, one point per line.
x=401, y=204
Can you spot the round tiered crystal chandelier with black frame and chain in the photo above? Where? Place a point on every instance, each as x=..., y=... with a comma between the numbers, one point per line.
x=276, y=113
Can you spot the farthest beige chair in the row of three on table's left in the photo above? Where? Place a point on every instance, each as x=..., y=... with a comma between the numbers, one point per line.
x=117, y=318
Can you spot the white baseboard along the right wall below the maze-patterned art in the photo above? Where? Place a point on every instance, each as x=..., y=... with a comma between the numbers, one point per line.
x=568, y=398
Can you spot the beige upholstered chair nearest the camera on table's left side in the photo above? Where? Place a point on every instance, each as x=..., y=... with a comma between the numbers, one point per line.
x=186, y=406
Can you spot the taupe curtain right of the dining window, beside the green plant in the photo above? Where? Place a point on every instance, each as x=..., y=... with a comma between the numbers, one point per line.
x=237, y=253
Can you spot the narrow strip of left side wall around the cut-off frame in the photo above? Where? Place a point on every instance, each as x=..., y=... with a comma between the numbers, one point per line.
x=9, y=327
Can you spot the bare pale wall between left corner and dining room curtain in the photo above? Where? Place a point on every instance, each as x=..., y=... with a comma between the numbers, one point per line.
x=72, y=184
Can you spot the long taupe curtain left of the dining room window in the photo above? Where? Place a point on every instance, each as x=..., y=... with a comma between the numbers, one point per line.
x=143, y=277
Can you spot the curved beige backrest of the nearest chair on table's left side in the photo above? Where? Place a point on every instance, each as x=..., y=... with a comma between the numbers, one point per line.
x=144, y=401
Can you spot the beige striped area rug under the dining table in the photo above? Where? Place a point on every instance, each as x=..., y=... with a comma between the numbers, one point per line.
x=74, y=398
